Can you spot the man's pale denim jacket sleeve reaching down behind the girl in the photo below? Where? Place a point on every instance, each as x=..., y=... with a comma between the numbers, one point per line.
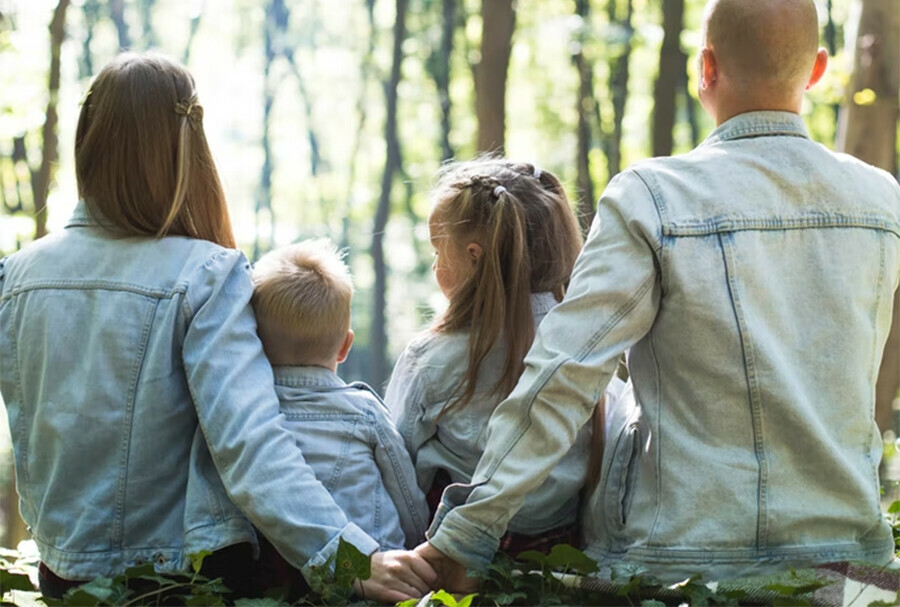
x=611, y=303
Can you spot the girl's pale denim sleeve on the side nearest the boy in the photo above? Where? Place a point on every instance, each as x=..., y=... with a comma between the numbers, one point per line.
x=405, y=398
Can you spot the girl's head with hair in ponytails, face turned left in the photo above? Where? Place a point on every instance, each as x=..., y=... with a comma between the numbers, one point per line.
x=521, y=217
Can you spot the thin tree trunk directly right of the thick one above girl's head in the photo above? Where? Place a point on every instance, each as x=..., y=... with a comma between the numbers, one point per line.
x=586, y=109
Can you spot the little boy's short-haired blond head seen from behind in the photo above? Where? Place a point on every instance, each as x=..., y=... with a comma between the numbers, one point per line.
x=302, y=294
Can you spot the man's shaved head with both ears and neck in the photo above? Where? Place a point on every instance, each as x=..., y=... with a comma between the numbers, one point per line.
x=758, y=55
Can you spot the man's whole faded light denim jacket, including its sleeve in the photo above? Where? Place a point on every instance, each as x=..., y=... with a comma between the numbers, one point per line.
x=752, y=280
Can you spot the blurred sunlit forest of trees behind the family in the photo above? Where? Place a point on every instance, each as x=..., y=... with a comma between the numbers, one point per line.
x=329, y=118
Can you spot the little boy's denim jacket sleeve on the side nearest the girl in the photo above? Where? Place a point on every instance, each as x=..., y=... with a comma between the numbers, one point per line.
x=399, y=478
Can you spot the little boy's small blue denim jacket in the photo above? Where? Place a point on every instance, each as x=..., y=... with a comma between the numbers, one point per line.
x=347, y=437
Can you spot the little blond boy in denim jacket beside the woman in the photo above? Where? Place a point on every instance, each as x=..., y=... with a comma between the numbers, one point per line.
x=301, y=297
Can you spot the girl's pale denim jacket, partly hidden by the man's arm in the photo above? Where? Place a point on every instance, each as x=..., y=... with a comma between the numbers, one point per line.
x=425, y=377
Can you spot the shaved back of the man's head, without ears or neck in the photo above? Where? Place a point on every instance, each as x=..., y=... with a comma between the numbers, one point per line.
x=766, y=47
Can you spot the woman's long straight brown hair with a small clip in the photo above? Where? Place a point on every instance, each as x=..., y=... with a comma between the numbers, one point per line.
x=141, y=157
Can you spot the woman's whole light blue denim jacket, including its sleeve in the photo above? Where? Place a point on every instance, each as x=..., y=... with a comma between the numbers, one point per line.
x=135, y=385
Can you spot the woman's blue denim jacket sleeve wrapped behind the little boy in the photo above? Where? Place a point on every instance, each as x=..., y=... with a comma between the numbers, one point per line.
x=232, y=386
